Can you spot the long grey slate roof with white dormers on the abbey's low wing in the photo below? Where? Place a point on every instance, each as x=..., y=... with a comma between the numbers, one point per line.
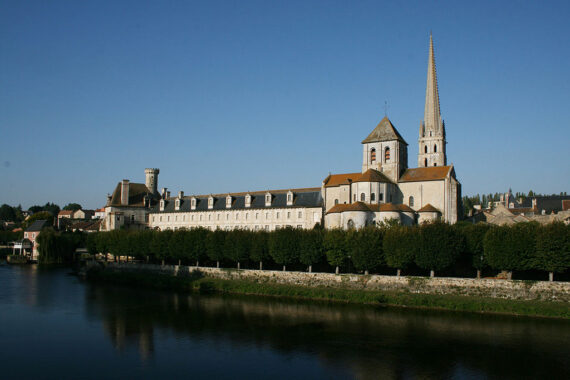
x=279, y=200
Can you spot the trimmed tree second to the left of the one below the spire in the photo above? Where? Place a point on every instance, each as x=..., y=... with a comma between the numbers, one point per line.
x=365, y=248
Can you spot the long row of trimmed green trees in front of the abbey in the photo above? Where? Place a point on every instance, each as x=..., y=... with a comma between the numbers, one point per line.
x=434, y=247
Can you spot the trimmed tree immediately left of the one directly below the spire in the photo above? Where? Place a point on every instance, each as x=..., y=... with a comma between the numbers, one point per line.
x=400, y=246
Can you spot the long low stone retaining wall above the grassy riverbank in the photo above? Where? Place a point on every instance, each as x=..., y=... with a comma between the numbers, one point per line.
x=506, y=289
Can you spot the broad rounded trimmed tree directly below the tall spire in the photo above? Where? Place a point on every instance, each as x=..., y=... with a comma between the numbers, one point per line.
x=440, y=245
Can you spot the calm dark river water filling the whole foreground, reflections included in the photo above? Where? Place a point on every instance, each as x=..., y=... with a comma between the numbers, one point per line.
x=53, y=325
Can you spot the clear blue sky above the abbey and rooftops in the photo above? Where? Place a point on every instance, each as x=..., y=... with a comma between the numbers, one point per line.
x=227, y=96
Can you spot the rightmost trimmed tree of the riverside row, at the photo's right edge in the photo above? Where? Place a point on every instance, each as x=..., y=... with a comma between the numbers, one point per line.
x=553, y=248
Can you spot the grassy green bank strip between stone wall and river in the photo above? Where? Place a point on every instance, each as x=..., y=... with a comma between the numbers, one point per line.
x=200, y=284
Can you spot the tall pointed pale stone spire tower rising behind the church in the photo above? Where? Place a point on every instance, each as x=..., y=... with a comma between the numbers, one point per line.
x=432, y=128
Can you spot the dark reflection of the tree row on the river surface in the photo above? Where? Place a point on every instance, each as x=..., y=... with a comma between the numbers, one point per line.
x=366, y=342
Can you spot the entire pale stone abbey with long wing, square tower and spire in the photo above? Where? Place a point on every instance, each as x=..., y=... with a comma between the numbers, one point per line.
x=384, y=189
